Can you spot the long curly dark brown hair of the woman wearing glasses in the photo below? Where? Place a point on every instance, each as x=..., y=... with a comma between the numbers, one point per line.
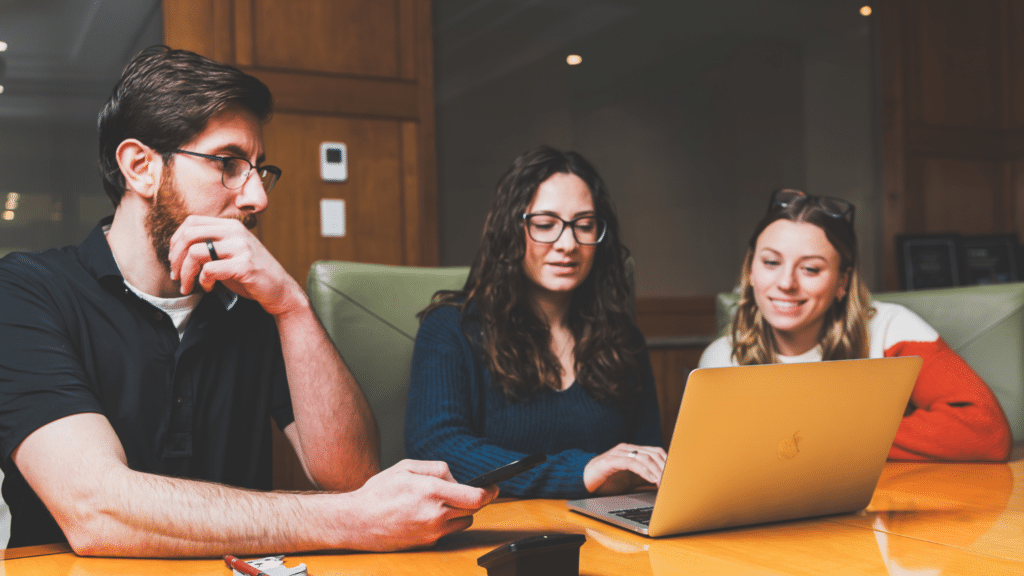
x=514, y=341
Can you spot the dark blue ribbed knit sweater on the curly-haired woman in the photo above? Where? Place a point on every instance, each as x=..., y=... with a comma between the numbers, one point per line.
x=456, y=415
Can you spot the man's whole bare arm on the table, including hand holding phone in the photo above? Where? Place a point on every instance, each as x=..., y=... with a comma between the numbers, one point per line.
x=78, y=469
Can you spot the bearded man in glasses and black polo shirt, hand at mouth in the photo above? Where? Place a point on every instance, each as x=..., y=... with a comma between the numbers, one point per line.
x=140, y=371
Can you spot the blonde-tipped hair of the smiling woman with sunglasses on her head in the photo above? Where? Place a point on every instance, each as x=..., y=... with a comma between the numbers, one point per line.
x=844, y=333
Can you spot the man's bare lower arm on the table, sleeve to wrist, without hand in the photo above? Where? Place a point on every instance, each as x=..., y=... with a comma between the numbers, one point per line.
x=79, y=470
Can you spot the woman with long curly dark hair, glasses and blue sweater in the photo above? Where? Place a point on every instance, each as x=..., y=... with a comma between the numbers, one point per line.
x=538, y=353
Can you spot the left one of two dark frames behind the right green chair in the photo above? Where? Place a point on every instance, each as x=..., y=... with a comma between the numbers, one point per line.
x=928, y=261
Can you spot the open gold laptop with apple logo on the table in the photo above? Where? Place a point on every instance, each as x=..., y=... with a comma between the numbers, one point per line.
x=757, y=444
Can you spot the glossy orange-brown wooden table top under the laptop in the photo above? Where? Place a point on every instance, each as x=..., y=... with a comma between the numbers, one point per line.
x=924, y=519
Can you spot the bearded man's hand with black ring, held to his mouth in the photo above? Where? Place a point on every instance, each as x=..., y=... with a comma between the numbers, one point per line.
x=244, y=265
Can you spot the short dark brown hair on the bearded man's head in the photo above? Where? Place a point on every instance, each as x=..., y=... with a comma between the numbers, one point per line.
x=165, y=99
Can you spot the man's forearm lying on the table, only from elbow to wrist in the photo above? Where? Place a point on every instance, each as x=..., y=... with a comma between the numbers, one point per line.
x=140, y=515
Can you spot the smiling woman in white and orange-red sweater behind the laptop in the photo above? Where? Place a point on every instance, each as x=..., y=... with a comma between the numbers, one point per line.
x=801, y=300
